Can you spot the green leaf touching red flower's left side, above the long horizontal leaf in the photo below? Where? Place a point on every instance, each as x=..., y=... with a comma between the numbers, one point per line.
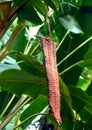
x=30, y=64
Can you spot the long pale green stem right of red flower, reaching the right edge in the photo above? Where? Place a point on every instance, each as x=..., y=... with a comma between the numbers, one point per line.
x=81, y=45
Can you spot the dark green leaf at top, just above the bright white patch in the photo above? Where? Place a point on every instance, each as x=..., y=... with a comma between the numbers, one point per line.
x=27, y=13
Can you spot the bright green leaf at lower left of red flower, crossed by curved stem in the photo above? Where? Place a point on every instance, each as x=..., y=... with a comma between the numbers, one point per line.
x=34, y=108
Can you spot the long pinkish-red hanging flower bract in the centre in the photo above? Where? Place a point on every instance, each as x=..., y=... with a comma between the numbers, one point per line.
x=52, y=76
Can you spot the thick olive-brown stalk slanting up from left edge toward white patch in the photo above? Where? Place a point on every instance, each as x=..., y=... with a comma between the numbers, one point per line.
x=10, y=41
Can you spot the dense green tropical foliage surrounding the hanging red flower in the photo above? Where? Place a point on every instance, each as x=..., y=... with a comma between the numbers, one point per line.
x=23, y=87
